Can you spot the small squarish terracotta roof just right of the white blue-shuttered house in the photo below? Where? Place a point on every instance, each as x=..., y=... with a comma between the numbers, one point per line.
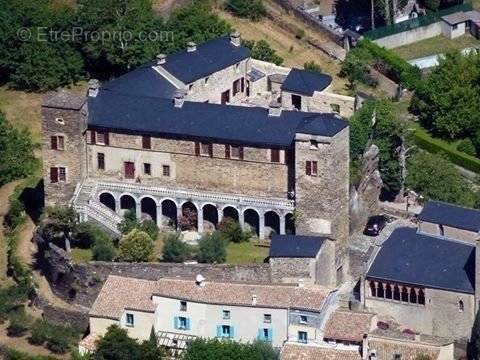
x=348, y=325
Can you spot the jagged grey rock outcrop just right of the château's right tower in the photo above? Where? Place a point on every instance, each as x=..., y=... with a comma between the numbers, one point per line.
x=364, y=198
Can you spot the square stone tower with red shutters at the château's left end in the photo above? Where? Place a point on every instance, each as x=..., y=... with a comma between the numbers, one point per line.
x=64, y=122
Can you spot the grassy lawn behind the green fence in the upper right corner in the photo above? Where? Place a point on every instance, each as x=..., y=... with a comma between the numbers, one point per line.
x=436, y=45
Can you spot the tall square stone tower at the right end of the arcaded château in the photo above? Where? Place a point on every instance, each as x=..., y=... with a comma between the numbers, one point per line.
x=322, y=195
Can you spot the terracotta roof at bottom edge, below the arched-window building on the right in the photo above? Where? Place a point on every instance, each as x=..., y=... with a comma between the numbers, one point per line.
x=387, y=348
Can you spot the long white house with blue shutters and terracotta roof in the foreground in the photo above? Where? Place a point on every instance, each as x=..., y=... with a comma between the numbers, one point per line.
x=181, y=310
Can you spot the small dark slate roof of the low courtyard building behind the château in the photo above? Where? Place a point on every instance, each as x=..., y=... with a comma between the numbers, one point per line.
x=306, y=82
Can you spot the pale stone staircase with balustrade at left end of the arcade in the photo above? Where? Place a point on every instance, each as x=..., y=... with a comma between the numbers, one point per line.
x=90, y=209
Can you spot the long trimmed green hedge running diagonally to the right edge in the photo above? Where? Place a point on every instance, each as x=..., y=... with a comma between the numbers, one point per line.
x=426, y=142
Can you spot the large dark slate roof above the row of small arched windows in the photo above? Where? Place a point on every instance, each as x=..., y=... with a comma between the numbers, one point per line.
x=412, y=258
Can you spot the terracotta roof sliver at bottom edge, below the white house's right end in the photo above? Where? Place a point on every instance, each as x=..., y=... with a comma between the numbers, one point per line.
x=311, y=352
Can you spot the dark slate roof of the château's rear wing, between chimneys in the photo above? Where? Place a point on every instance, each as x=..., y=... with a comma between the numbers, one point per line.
x=209, y=57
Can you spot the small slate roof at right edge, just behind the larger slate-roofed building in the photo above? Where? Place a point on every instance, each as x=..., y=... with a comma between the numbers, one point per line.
x=451, y=215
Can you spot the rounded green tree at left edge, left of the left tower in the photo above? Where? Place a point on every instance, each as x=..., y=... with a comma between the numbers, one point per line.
x=17, y=159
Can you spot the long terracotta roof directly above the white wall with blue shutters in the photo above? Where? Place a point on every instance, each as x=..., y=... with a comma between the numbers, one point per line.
x=277, y=296
